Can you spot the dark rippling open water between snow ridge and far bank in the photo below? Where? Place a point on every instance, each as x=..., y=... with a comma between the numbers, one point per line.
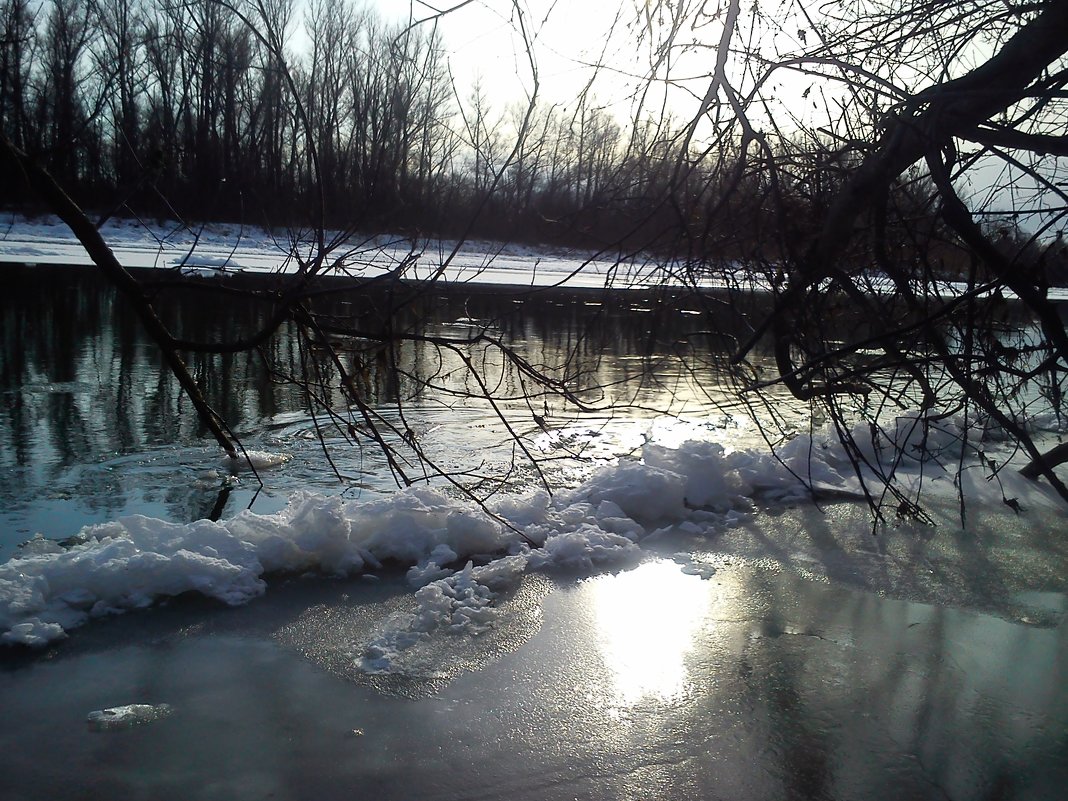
x=95, y=427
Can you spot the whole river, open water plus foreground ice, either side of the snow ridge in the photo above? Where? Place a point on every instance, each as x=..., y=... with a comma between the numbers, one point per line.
x=767, y=650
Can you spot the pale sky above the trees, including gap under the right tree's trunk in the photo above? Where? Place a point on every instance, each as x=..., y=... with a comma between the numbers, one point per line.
x=486, y=46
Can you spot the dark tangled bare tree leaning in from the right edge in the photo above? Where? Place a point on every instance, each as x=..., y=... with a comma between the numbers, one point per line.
x=889, y=292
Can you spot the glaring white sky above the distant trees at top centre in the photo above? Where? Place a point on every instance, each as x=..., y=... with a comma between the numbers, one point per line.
x=568, y=38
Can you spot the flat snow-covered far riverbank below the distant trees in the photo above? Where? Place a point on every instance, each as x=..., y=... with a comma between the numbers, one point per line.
x=250, y=258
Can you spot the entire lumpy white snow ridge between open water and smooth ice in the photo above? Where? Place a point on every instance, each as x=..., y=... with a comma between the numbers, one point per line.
x=698, y=486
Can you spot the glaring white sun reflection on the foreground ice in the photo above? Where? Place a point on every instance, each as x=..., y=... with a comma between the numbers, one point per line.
x=647, y=621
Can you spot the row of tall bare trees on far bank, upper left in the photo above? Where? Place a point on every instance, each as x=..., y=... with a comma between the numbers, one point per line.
x=206, y=109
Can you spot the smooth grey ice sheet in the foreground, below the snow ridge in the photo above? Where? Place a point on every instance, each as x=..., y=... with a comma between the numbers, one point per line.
x=753, y=684
